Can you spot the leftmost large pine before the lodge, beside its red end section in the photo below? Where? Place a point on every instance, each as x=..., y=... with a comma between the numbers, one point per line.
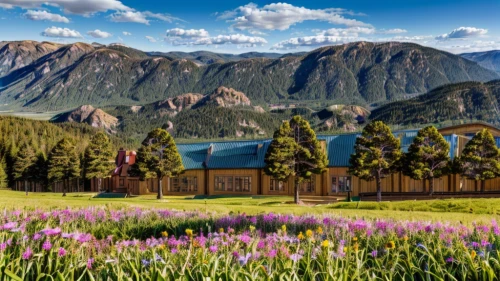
x=158, y=157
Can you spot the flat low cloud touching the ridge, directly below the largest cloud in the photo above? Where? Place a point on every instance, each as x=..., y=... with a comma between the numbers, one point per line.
x=314, y=41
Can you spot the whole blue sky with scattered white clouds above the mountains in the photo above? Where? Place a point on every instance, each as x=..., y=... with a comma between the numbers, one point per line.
x=240, y=26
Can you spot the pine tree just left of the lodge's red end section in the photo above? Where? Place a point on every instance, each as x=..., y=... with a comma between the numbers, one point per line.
x=97, y=158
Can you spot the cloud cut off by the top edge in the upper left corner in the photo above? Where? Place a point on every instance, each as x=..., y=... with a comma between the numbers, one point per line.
x=80, y=7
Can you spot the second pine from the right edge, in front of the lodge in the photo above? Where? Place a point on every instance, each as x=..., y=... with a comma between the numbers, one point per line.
x=428, y=157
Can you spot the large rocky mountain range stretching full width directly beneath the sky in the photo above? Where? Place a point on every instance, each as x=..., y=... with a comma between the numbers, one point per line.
x=45, y=76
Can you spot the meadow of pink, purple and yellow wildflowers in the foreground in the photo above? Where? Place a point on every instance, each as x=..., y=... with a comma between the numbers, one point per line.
x=101, y=243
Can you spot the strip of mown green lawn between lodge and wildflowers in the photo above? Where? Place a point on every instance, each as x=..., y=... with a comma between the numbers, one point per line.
x=453, y=210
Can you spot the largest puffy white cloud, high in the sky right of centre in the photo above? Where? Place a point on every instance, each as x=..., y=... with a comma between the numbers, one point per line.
x=280, y=16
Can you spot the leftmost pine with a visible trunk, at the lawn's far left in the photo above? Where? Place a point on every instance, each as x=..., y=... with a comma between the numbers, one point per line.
x=23, y=168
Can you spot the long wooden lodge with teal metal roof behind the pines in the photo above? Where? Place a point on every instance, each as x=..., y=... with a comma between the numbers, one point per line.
x=237, y=168
